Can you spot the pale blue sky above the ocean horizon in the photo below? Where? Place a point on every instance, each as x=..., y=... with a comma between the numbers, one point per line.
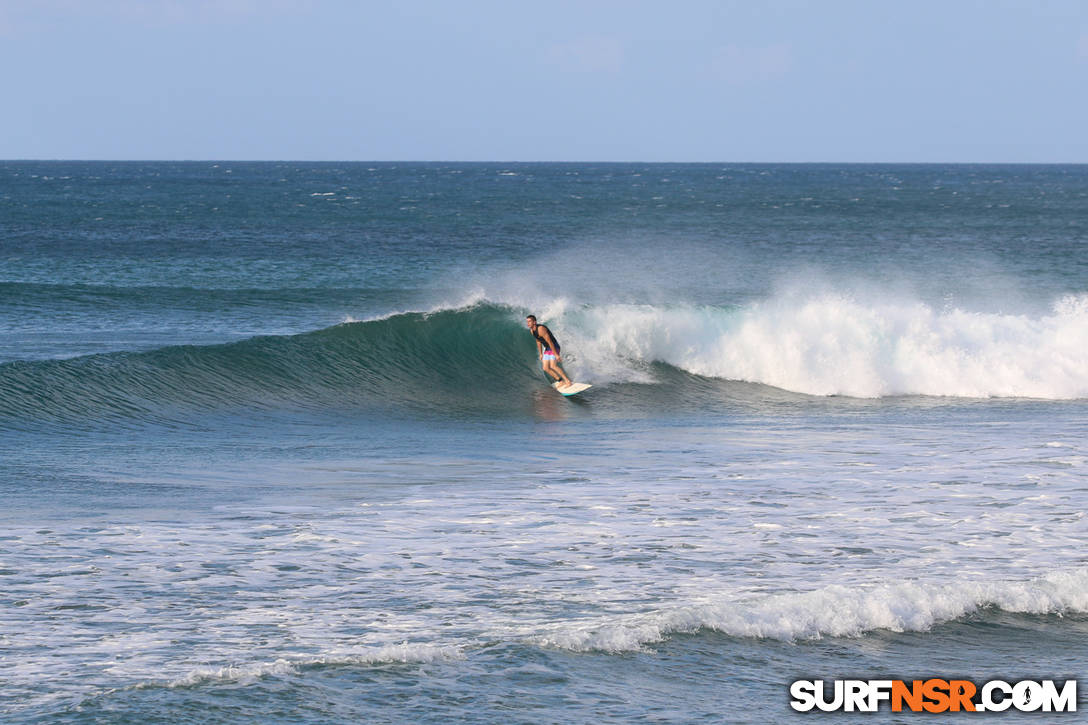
x=988, y=81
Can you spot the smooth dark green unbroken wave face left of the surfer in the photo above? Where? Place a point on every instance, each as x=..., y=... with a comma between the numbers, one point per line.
x=429, y=361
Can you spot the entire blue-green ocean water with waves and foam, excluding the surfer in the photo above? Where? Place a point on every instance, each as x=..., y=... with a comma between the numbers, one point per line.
x=276, y=446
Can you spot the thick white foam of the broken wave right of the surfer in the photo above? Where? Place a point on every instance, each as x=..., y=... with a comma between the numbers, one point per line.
x=835, y=345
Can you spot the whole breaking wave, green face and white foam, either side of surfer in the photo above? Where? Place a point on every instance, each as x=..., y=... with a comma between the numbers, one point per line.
x=442, y=361
